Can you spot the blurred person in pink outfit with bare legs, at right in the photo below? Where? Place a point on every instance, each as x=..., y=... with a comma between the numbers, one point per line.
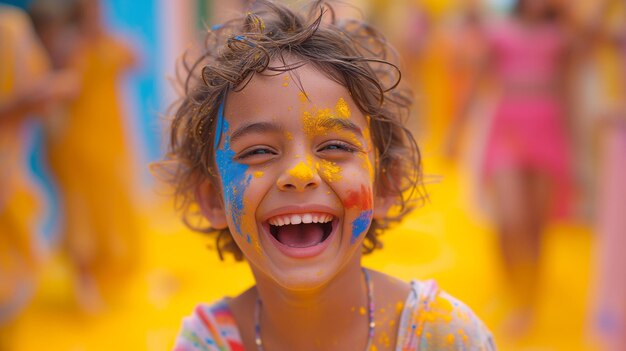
x=526, y=164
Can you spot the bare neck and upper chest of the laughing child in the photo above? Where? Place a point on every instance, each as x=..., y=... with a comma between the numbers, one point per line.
x=329, y=317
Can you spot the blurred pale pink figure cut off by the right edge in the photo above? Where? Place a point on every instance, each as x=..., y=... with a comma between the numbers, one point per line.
x=609, y=306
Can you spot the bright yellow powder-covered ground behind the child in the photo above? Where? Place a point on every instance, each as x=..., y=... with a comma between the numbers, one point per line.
x=446, y=240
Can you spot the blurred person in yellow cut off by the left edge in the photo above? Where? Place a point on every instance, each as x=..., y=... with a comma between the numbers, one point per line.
x=27, y=88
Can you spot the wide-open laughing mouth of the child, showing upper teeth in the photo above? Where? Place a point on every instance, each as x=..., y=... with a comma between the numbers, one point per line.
x=301, y=230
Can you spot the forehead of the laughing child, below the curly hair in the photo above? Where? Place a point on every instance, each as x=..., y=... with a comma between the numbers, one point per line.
x=270, y=95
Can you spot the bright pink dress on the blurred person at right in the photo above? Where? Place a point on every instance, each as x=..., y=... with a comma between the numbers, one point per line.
x=528, y=128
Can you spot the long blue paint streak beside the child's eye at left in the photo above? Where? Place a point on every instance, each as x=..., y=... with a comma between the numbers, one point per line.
x=233, y=175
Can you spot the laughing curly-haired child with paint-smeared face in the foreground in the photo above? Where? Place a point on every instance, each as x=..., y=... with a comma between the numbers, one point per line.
x=290, y=141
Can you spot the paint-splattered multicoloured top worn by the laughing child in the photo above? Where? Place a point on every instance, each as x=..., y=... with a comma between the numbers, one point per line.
x=431, y=320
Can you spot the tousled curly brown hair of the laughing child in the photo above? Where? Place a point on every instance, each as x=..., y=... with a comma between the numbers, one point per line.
x=349, y=52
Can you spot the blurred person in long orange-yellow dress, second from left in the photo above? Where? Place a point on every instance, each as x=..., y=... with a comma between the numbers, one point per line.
x=88, y=151
